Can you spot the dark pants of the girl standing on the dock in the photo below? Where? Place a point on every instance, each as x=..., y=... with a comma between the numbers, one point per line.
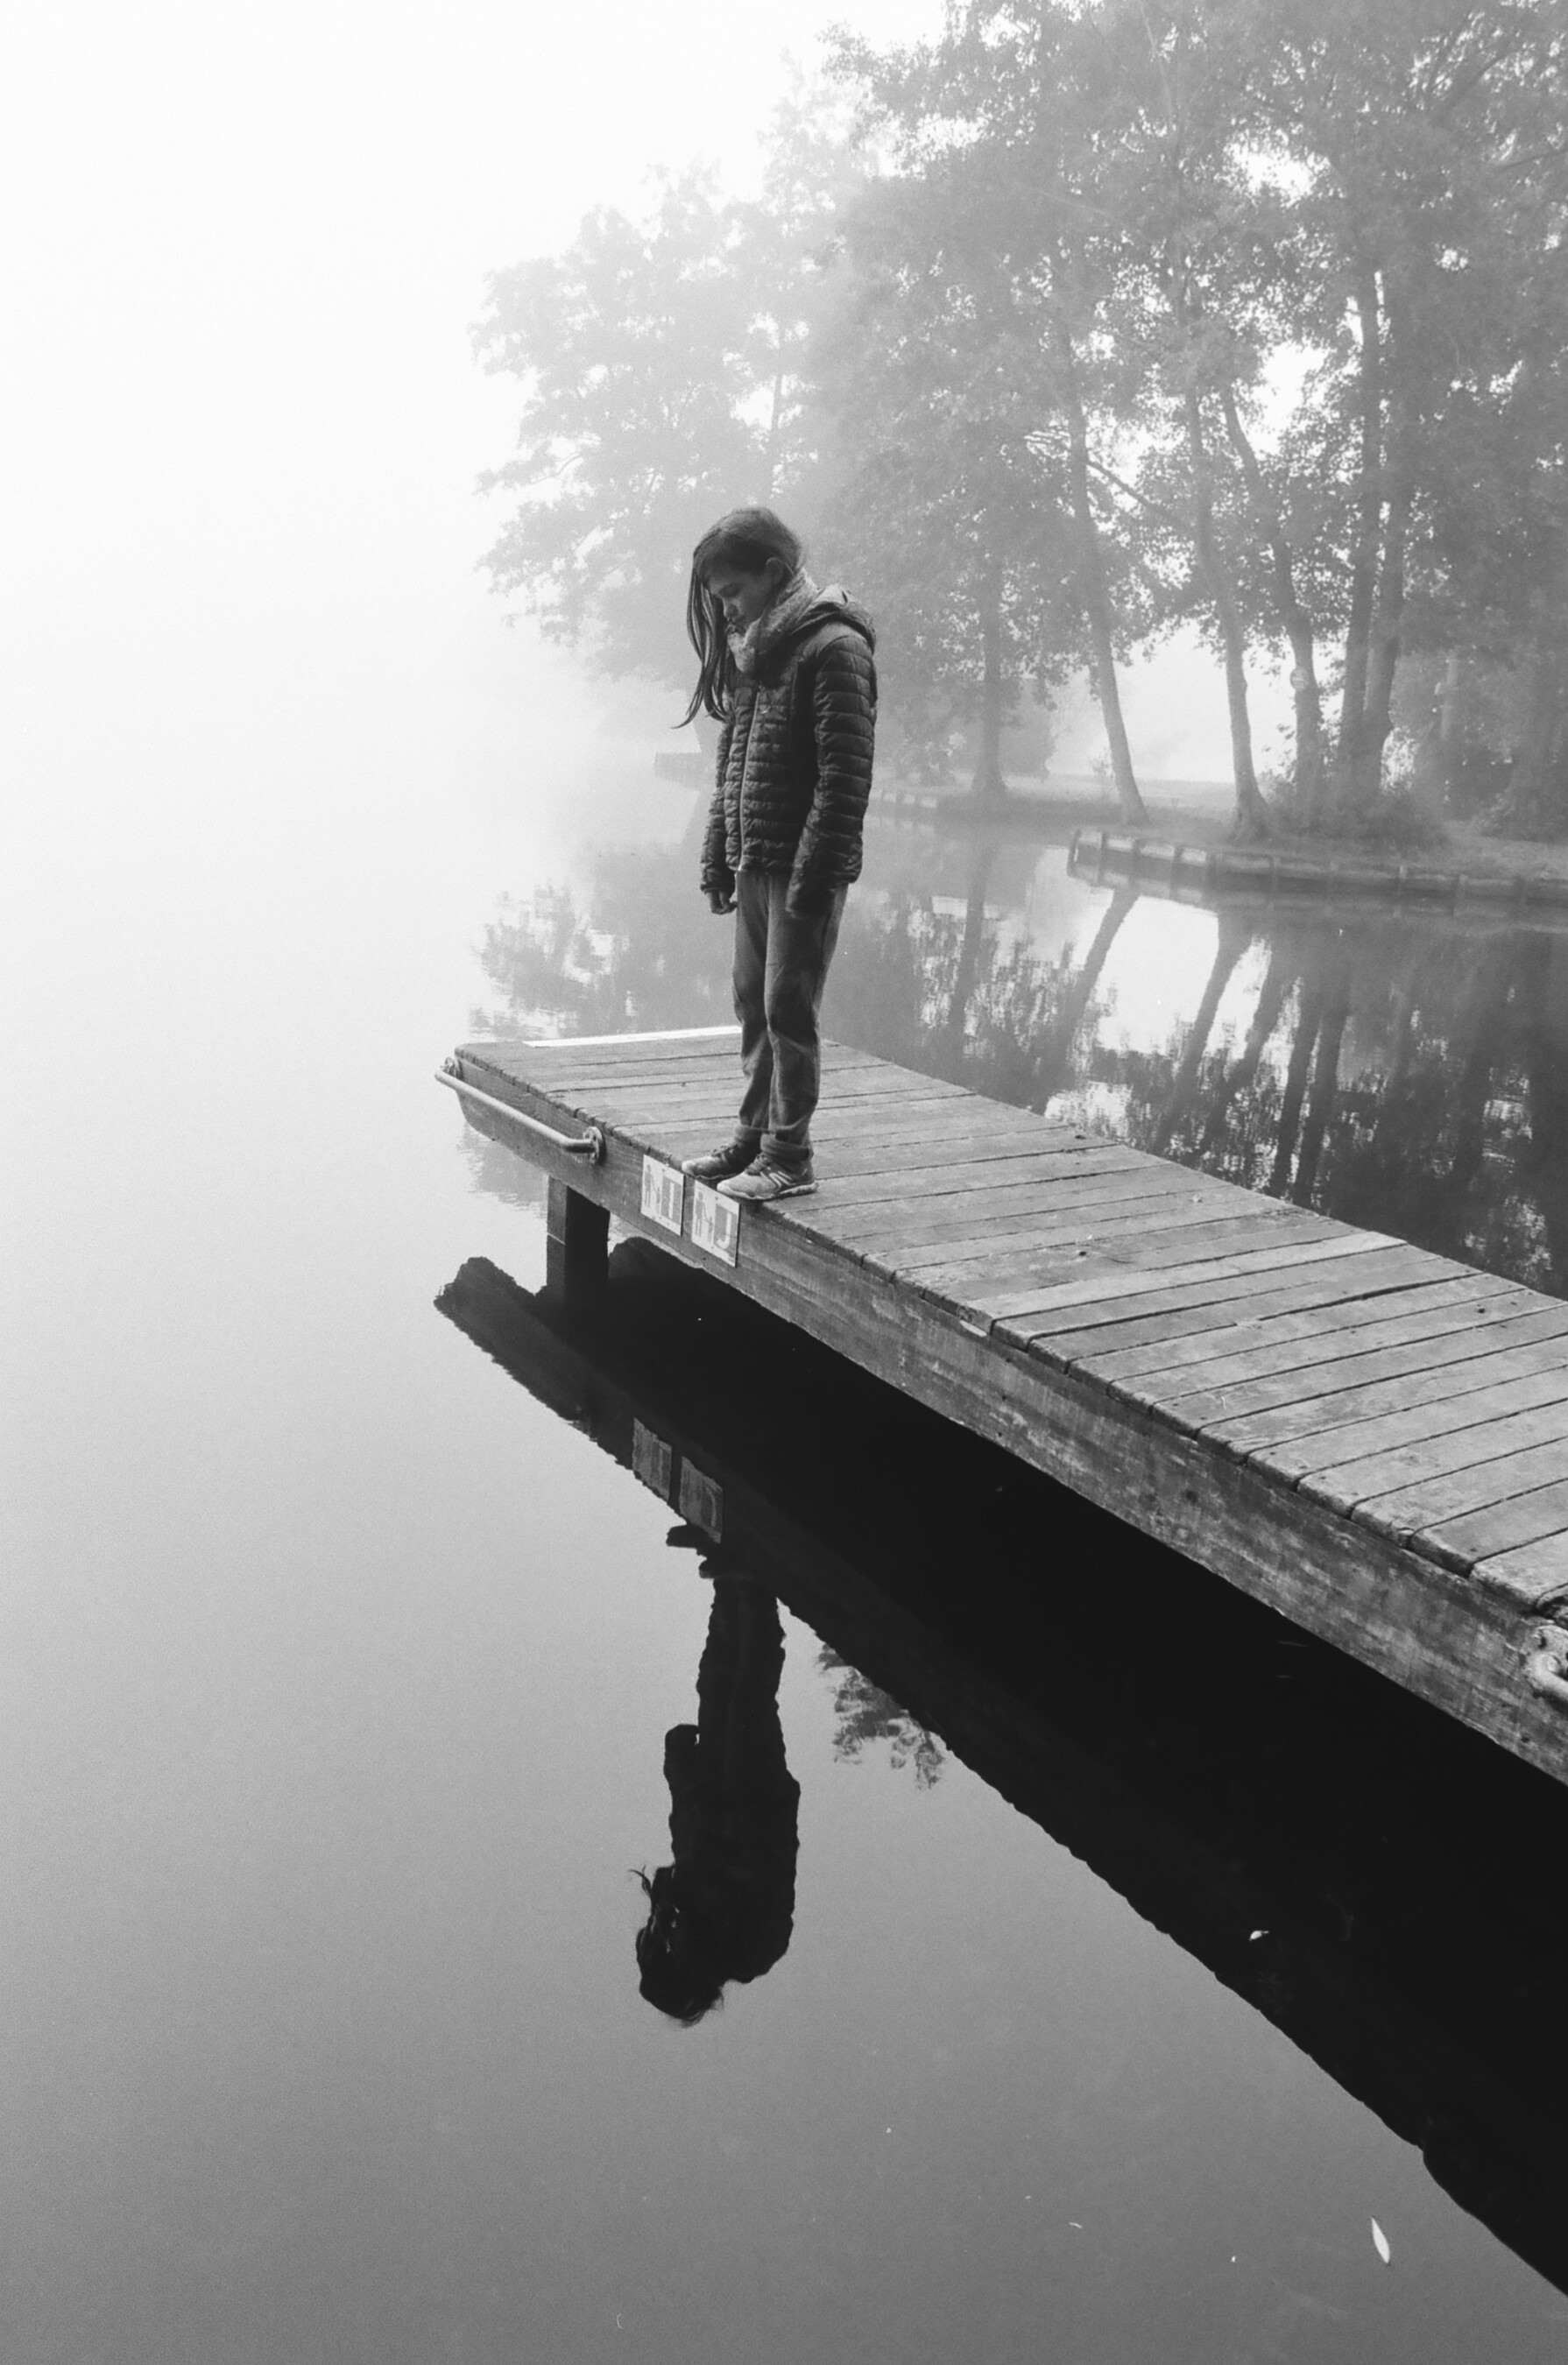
x=782, y=966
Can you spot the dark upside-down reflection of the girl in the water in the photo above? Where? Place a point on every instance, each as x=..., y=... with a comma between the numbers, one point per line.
x=727, y=1905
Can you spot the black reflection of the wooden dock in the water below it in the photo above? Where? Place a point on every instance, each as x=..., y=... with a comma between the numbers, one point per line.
x=1373, y=1879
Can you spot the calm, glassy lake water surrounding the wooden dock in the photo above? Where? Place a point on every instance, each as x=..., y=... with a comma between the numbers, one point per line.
x=342, y=1647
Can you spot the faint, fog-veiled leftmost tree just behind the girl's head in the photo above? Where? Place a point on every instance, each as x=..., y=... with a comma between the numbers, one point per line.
x=661, y=370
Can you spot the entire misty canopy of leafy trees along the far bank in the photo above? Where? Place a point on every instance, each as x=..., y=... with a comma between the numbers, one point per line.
x=1110, y=318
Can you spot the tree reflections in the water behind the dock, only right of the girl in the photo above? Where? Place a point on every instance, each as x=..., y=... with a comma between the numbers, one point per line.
x=1394, y=1075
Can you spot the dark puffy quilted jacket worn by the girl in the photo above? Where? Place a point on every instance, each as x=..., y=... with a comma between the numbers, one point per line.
x=796, y=758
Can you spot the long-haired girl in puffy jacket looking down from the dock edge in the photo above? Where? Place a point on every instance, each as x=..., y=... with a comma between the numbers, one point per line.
x=789, y=670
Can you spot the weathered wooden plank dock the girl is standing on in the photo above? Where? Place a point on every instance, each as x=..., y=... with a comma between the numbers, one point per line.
x=1366, y=1437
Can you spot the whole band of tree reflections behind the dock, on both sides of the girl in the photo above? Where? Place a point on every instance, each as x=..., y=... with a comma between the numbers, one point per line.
x=1401, y=1075
